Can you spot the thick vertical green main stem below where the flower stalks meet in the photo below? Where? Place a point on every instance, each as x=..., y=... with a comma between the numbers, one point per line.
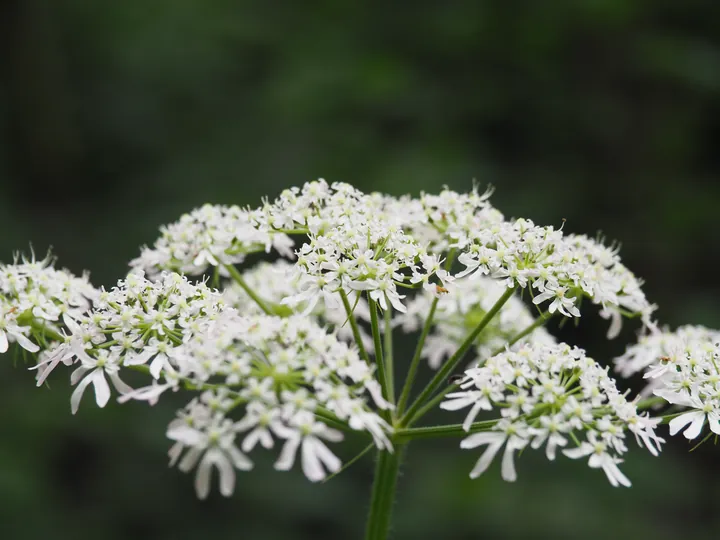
x=383, y=494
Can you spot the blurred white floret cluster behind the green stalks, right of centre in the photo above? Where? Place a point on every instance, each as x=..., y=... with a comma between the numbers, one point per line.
x=457, y=314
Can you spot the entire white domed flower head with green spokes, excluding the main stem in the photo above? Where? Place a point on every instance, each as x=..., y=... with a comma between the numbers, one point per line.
x=297, y=351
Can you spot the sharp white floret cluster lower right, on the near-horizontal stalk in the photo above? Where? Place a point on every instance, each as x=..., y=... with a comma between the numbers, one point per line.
x=550, y=396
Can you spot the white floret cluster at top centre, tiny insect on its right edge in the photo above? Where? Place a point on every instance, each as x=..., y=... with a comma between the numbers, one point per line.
x=351, y=247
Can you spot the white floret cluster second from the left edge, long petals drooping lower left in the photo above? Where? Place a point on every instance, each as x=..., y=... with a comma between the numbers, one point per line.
x=137, y=323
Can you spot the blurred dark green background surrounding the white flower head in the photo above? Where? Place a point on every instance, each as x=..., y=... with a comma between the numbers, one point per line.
x=116, y=117
